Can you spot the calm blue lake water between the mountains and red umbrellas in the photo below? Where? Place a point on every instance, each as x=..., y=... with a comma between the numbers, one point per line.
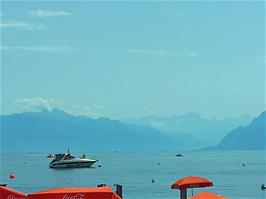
x=135, y=172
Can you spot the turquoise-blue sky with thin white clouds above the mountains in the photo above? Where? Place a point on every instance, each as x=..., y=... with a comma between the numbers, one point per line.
x=131, y=59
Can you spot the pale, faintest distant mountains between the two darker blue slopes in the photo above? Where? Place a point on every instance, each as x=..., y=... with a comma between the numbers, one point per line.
x=209, y=131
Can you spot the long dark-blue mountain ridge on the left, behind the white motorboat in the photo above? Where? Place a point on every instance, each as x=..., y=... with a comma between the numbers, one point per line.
x=57, y=130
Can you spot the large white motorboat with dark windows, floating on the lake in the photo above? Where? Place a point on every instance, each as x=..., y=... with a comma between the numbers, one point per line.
x=66, y=160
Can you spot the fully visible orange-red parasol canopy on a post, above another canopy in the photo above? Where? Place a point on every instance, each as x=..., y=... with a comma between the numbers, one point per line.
x=191, y=182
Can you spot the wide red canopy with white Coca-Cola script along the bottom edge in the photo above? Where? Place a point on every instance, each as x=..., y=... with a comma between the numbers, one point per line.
x=75, y=193
